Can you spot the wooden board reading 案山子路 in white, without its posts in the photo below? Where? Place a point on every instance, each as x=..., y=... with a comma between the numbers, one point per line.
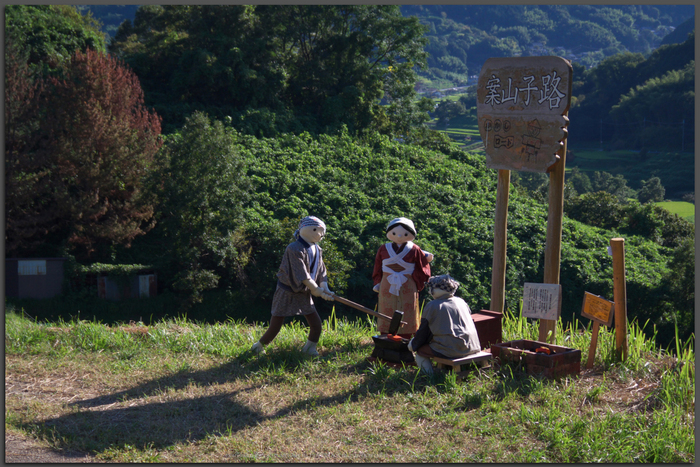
x=522, y=104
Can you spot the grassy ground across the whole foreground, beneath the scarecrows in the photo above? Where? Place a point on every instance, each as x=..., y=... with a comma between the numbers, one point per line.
x=180, y=392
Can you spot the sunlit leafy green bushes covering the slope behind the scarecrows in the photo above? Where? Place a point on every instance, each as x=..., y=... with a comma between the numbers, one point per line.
x=356, y=186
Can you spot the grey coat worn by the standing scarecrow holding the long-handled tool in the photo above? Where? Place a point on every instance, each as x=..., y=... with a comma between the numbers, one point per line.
x=292, y=297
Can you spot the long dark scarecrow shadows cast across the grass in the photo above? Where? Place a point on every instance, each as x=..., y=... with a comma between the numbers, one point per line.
x=95, y=426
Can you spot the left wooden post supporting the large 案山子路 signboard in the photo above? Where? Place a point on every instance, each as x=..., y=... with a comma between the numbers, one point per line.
x=500, y=235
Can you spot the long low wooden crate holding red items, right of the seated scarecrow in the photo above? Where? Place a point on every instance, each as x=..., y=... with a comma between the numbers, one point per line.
x=561, y=362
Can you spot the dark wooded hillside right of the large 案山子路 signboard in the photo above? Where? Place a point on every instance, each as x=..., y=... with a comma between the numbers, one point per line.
x=634, y=102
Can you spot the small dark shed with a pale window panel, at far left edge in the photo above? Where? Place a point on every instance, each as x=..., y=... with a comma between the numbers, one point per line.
x=34, y=277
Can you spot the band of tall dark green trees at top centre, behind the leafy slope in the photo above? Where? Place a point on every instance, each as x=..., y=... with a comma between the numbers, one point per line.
x=307, y=67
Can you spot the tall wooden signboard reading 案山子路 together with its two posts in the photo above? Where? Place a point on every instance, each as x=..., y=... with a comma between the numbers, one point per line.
x=522, y=108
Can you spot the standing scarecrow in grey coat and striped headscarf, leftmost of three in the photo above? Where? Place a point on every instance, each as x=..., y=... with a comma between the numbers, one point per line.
x=301, y=276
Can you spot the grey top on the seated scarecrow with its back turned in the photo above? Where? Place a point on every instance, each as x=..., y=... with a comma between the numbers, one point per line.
x=452, y=326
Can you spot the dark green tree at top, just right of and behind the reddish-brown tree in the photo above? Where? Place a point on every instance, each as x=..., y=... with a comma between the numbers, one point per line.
x=216, y=59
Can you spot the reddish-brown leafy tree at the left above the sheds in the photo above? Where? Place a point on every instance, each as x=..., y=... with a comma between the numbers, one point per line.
x=96, y=143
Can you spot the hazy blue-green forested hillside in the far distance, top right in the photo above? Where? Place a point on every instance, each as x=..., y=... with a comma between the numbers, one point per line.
x=463, y=37
